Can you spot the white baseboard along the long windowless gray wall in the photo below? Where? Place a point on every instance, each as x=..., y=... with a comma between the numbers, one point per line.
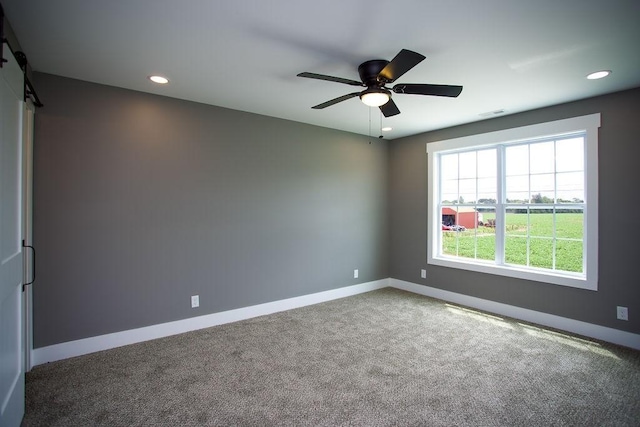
x=118, y=339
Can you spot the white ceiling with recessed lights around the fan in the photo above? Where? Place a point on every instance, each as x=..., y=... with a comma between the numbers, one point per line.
x=510, y=55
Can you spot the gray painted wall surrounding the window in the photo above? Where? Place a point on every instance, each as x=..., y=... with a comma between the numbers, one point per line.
x=619, y=225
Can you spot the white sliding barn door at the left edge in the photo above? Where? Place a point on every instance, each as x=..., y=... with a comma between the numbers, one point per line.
x=11, y=267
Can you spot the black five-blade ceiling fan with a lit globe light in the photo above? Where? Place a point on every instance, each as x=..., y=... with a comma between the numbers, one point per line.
x=375, y=75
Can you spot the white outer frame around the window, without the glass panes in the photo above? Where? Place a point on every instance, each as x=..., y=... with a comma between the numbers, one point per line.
x=588, y=124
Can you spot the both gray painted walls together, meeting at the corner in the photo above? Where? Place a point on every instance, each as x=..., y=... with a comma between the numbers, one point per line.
x=141, y=201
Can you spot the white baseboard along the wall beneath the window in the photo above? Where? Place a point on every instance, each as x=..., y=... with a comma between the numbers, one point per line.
x=603, y=333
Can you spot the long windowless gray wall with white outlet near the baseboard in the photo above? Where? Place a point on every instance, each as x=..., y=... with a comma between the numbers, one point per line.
x=141, y=201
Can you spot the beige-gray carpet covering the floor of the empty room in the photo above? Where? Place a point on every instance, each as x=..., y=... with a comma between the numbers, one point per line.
x=382, y=358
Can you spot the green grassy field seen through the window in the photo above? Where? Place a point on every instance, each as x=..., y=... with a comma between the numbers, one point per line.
x=539, y=252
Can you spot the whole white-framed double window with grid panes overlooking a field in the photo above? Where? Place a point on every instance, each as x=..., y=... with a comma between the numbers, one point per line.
x=520, y=202
